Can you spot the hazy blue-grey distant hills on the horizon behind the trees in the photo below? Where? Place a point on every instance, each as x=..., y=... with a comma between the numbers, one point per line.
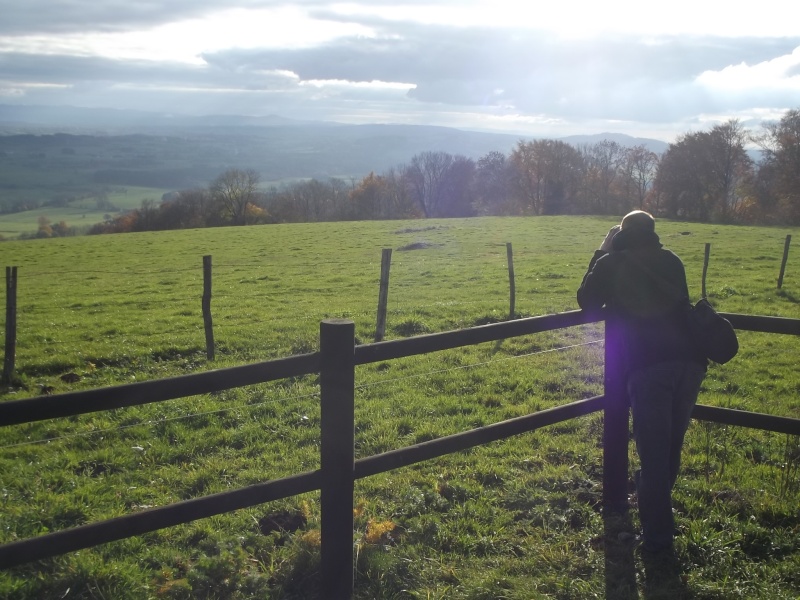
x=52, y=152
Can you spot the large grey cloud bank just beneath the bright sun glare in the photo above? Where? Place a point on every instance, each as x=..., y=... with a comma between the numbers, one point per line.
x=620, y=78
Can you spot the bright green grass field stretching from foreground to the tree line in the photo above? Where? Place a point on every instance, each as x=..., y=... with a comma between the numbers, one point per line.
x=517, y=519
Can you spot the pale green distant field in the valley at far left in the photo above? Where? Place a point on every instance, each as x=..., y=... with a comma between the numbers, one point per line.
x=79, y=213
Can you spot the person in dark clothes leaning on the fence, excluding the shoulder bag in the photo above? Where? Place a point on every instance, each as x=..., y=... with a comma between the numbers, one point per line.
x=643, y=286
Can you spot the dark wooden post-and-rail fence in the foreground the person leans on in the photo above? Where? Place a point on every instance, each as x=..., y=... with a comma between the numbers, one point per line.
x=335, y=363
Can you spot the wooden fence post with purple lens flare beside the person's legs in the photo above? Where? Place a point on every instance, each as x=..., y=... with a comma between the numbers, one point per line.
x=615, y=425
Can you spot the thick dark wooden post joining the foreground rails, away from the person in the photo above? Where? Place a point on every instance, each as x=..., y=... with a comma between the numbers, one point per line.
x=337, y=392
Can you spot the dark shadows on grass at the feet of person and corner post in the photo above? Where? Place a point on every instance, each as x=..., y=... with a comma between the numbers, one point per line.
x=662, y=572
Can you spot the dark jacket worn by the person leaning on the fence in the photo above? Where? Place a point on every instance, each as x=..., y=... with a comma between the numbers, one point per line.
x=644, y=288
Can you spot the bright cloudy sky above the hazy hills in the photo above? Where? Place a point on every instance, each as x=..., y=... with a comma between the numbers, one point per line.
x=531, y=68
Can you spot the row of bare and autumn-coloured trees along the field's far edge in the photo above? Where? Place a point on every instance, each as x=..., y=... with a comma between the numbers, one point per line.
x=706, y=176
